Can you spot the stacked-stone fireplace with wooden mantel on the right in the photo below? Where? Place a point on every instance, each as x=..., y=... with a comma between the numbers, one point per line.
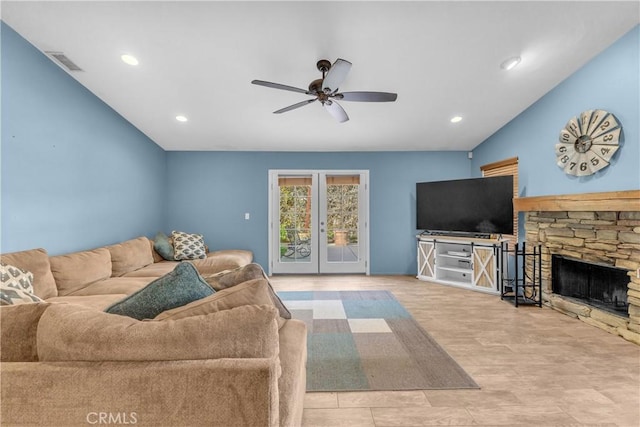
x=594, y=228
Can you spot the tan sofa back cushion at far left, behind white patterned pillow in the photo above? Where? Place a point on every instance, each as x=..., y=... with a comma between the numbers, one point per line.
x=37, y=262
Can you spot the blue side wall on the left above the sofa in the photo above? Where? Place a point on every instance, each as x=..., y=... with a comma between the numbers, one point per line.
x=75, y=174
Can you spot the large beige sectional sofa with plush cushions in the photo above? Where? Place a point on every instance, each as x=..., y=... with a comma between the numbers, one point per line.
x=230, y=359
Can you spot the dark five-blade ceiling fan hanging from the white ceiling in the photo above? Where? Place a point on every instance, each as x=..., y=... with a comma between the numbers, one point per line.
x=325, y=90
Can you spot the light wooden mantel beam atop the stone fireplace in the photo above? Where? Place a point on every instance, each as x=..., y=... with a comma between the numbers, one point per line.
x=608, y=201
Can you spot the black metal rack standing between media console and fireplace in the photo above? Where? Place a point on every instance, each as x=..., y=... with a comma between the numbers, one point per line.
x=523, y=286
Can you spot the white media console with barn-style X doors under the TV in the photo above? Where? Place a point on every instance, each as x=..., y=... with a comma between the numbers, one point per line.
x=465, y=262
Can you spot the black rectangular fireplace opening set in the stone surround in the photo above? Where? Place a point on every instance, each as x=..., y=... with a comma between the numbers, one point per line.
x=600, y=286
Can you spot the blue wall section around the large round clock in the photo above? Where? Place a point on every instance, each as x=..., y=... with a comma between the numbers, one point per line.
x=610, y=81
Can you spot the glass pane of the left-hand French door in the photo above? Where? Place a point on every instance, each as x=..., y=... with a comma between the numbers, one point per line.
x=295, y=218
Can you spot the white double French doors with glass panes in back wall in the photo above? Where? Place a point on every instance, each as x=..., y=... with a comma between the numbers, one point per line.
x=318, y=221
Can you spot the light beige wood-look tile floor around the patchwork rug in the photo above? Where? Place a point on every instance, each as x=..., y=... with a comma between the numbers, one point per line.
x=535, y=366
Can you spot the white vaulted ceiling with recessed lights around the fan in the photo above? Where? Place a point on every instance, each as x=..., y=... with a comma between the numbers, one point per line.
x=441, y=58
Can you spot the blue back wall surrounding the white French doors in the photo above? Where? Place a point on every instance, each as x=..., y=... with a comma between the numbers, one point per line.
x=231, y=183
